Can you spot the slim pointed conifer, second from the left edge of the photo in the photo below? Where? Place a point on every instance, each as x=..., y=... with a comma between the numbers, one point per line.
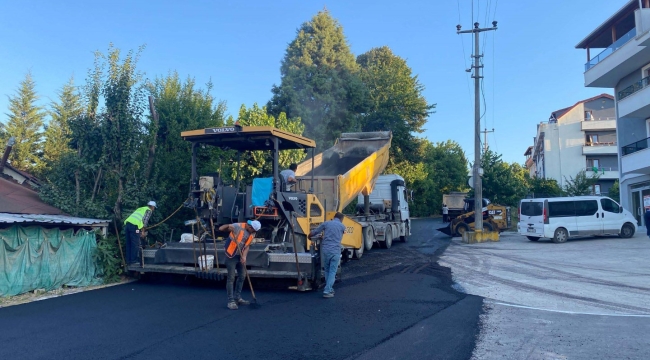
x=57, y=132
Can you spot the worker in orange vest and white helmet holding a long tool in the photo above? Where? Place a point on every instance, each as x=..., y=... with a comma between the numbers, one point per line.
x=241, y=236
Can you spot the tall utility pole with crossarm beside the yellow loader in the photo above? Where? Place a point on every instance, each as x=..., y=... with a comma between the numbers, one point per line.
x=477, y=170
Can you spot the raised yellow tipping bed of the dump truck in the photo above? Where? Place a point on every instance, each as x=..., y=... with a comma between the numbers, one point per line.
x=347, y=169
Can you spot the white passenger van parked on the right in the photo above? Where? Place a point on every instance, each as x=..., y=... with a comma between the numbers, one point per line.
x=564, y=217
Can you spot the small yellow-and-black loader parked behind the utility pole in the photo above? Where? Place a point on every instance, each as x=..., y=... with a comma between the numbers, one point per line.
x=495, y=218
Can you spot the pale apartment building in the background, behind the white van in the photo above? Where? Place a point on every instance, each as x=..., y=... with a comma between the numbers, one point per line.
x=576, y=138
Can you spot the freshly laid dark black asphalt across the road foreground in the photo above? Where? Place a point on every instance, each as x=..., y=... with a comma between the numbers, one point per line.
x=392, y=304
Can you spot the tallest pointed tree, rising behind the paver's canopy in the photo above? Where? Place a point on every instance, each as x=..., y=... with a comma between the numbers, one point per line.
x=320, y=82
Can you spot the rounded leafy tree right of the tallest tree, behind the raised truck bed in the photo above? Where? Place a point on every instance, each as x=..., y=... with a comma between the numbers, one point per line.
x=395, y=100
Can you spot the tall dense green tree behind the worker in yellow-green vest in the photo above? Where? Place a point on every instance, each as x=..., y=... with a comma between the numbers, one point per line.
x=103, y=174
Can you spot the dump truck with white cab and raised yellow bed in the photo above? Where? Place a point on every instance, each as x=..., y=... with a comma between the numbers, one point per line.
x=349, y=171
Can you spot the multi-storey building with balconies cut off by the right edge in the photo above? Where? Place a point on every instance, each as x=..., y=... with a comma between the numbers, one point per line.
x=618, y=57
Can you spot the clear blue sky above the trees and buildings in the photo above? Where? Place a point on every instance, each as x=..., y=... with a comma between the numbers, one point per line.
x=531, y=65
